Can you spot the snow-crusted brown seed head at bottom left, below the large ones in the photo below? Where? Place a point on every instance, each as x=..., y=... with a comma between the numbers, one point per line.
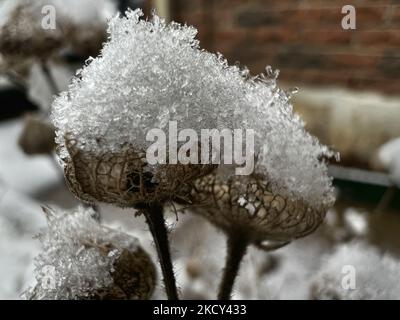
x=83, y=260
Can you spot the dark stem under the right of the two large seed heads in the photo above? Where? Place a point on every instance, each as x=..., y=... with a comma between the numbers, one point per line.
x=236, y=249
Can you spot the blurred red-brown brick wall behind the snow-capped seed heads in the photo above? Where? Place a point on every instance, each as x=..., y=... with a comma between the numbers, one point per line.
x=304, y=39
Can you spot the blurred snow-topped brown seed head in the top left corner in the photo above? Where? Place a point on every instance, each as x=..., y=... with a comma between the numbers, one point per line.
x=39, y=28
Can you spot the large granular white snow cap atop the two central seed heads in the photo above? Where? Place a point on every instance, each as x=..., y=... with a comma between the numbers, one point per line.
x=150, y=73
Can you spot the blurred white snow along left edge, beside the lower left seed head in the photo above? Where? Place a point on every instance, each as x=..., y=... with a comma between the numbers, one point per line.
x=20, y=215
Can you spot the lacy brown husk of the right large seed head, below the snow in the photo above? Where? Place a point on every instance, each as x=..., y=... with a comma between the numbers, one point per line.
x=247, y=205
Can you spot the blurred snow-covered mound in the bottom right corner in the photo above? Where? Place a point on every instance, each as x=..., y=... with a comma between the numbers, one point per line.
x=375, y=274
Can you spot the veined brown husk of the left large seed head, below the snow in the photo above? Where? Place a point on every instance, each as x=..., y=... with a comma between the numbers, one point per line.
x=121, y=178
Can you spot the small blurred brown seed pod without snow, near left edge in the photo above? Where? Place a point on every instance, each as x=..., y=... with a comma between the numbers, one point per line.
x=37, y=136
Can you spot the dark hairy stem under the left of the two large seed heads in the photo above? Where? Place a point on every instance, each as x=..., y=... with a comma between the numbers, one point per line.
x=155, y=220
